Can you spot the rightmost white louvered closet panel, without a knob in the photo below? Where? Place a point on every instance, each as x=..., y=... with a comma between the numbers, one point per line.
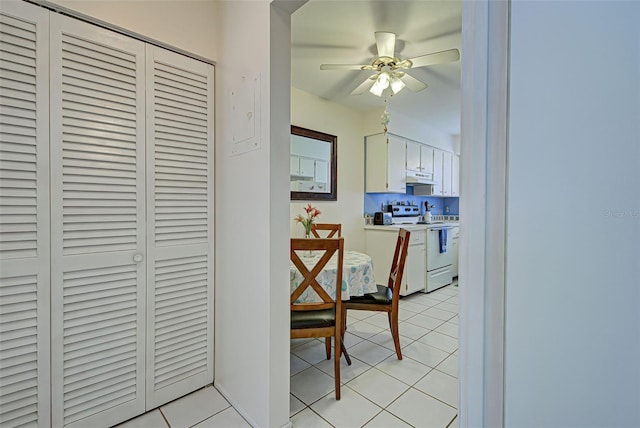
x=180, y=225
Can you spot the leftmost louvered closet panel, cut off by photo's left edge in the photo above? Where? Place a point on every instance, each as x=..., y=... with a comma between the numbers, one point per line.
x=24, y=216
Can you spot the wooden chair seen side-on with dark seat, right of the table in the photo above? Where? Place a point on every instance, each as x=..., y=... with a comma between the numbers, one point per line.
x=387, y=297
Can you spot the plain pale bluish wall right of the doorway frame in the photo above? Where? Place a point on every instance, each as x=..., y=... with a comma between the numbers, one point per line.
x=573, y=214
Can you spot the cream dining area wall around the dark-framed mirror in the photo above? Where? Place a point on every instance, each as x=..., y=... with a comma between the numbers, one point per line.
x=312, y=112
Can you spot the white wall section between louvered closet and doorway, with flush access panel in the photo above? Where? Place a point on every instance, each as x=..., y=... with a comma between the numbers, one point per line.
x=252, y=316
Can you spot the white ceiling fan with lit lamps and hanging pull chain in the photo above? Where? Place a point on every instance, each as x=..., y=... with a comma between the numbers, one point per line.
x=390, y=69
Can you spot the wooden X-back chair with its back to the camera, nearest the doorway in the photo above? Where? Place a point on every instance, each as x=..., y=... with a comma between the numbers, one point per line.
x=319, y=319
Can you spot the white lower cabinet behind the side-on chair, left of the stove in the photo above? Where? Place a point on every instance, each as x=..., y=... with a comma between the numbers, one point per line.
x=381, y=244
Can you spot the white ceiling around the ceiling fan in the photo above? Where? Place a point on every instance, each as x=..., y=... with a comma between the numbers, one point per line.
x=342, y=32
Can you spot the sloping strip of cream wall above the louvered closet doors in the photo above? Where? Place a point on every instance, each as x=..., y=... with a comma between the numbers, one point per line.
x=186, y=24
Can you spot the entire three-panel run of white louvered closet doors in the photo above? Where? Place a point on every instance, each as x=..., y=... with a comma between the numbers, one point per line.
x=122, y=146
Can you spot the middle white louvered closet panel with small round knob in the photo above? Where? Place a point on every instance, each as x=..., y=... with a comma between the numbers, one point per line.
x=97, y=221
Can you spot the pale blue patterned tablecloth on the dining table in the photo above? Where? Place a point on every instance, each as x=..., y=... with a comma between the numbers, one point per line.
x=357, y=276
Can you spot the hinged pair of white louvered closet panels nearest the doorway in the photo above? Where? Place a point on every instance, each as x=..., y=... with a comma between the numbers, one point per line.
x=132, y=225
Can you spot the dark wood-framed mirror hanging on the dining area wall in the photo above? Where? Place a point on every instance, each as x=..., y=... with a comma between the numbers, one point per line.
x=313, y=165
